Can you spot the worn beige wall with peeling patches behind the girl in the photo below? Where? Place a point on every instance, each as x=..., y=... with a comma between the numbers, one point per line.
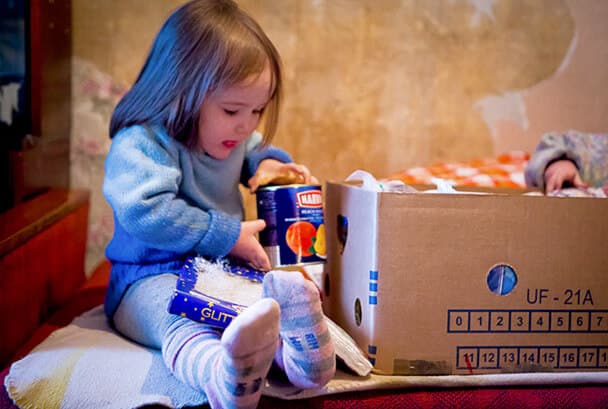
x=380, y=85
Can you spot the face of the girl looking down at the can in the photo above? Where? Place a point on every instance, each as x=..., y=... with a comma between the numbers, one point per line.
x=229, y=115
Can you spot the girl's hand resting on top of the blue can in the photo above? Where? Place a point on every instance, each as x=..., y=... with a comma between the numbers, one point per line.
x=272, y=171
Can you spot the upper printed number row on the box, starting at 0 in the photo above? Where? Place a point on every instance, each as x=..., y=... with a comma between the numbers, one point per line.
x=528, y=321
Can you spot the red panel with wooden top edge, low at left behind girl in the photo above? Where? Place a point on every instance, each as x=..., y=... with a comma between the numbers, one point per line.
x=42, y=246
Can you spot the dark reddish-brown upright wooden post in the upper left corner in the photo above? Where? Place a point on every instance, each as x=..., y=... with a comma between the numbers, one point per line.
x=42, y=159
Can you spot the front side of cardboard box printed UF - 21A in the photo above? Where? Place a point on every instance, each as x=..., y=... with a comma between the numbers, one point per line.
x=444, y=266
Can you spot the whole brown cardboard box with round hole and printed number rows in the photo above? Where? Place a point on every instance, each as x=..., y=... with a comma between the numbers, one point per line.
x=469, y=284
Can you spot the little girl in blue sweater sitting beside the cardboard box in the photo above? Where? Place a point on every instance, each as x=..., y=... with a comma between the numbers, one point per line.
x=183, y=138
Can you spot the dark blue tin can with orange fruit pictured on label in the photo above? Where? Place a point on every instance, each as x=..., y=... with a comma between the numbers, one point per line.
x=295, y=228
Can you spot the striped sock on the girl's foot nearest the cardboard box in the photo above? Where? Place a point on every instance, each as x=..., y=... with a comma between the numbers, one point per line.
x=306, y=353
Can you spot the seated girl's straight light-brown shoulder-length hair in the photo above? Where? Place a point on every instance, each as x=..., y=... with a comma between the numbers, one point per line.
x=203, y=46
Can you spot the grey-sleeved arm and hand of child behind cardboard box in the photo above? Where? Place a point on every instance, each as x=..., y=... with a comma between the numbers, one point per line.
x=574, y=159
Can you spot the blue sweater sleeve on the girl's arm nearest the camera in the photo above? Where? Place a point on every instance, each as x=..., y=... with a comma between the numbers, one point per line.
x=142, y=183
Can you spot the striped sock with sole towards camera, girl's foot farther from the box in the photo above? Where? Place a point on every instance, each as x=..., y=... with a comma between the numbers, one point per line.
x=231, y=370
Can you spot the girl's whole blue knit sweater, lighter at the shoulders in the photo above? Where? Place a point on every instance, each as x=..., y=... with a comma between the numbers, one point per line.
x=170, y=202
